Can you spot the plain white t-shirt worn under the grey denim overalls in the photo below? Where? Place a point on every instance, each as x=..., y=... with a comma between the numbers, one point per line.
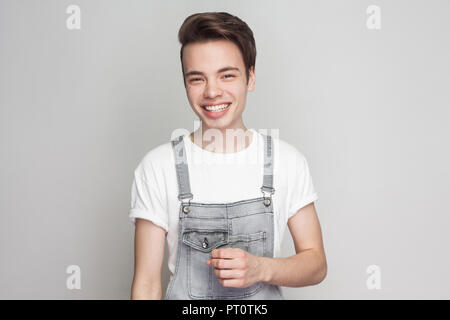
x=219, y=178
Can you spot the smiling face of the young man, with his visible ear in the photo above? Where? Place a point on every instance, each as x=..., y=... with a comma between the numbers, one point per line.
x=215, y=75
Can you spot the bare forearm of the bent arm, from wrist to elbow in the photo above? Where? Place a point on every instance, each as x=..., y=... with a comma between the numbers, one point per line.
x=306, y=268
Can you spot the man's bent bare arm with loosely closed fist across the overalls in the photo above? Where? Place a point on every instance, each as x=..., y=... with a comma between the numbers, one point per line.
x=238, y=268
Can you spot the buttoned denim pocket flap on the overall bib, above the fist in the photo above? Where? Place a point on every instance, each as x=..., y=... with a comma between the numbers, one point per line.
x=205, y=240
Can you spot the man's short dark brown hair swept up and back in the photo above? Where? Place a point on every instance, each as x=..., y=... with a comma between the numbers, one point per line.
x=208, y=26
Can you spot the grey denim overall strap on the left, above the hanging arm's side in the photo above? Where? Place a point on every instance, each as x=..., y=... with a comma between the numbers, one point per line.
x=184, y=187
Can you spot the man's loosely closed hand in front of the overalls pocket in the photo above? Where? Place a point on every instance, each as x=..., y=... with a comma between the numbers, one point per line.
x=235, y=267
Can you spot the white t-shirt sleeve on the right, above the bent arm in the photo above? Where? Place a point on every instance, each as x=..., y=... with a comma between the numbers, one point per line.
x=301, y=191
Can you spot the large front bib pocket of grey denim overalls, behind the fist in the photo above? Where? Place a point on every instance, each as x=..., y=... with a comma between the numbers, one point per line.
x=202, y=282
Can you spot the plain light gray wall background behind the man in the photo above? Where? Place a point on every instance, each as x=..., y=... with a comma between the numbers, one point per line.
x=368, y=108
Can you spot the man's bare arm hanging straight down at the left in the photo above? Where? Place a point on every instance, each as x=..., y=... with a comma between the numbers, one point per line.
x=149, y=244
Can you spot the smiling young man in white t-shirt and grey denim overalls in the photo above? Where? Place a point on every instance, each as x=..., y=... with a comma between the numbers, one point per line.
x=224, y=216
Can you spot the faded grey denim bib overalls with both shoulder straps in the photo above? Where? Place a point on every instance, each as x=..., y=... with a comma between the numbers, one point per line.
x=246, y=224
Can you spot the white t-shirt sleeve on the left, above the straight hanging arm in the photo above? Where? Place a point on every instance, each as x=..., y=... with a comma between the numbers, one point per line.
x=147, y=199
